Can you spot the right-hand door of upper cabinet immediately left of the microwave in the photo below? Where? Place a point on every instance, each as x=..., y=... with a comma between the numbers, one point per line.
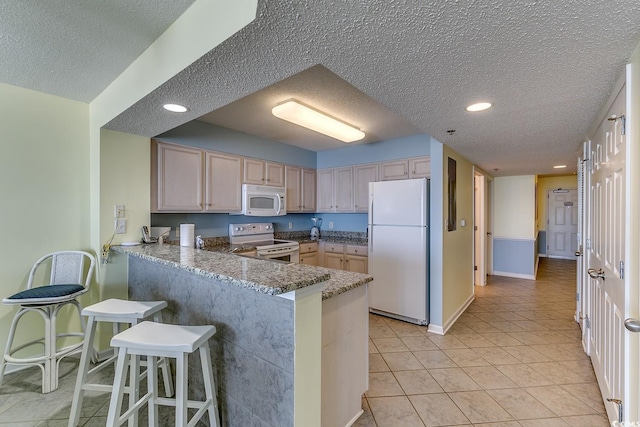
x=223, y=183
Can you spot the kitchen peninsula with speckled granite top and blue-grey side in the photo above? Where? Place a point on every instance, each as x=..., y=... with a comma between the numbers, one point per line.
x=291, y=347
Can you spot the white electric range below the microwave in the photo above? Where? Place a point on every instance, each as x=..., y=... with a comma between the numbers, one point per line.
x=261, y=236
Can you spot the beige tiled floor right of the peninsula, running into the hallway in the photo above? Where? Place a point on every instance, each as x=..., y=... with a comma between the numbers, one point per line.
x=514, y=358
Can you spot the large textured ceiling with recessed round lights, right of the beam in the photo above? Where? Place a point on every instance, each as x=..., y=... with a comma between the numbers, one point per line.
x=547, y=66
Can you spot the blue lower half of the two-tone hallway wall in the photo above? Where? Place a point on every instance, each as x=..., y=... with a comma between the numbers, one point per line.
x=516, y=256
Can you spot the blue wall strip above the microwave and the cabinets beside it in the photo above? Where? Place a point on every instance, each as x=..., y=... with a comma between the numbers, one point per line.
x=215, y=138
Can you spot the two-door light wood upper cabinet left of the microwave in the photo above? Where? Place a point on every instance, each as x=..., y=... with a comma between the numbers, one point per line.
x=185, y=179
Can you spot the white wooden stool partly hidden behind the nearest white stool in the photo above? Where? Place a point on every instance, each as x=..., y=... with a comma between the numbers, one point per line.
x=117, y=312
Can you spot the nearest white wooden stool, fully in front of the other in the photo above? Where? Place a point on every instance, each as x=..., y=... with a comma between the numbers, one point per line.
x=162, y=340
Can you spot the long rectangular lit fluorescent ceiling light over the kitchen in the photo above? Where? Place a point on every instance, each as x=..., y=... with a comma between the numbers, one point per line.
x=302, y=115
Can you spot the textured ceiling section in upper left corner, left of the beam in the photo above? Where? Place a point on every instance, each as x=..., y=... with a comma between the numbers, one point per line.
x=75, y=49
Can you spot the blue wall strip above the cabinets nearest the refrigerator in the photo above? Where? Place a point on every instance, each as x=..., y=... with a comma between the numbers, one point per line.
x=400, y=148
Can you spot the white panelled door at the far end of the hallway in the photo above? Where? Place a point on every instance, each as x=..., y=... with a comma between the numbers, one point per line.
x=562, y=223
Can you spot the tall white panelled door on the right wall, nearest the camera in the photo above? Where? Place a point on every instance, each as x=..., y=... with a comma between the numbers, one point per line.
x=606, y=253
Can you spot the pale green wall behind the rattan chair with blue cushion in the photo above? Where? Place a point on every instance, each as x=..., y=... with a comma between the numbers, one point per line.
x=44, y=186
